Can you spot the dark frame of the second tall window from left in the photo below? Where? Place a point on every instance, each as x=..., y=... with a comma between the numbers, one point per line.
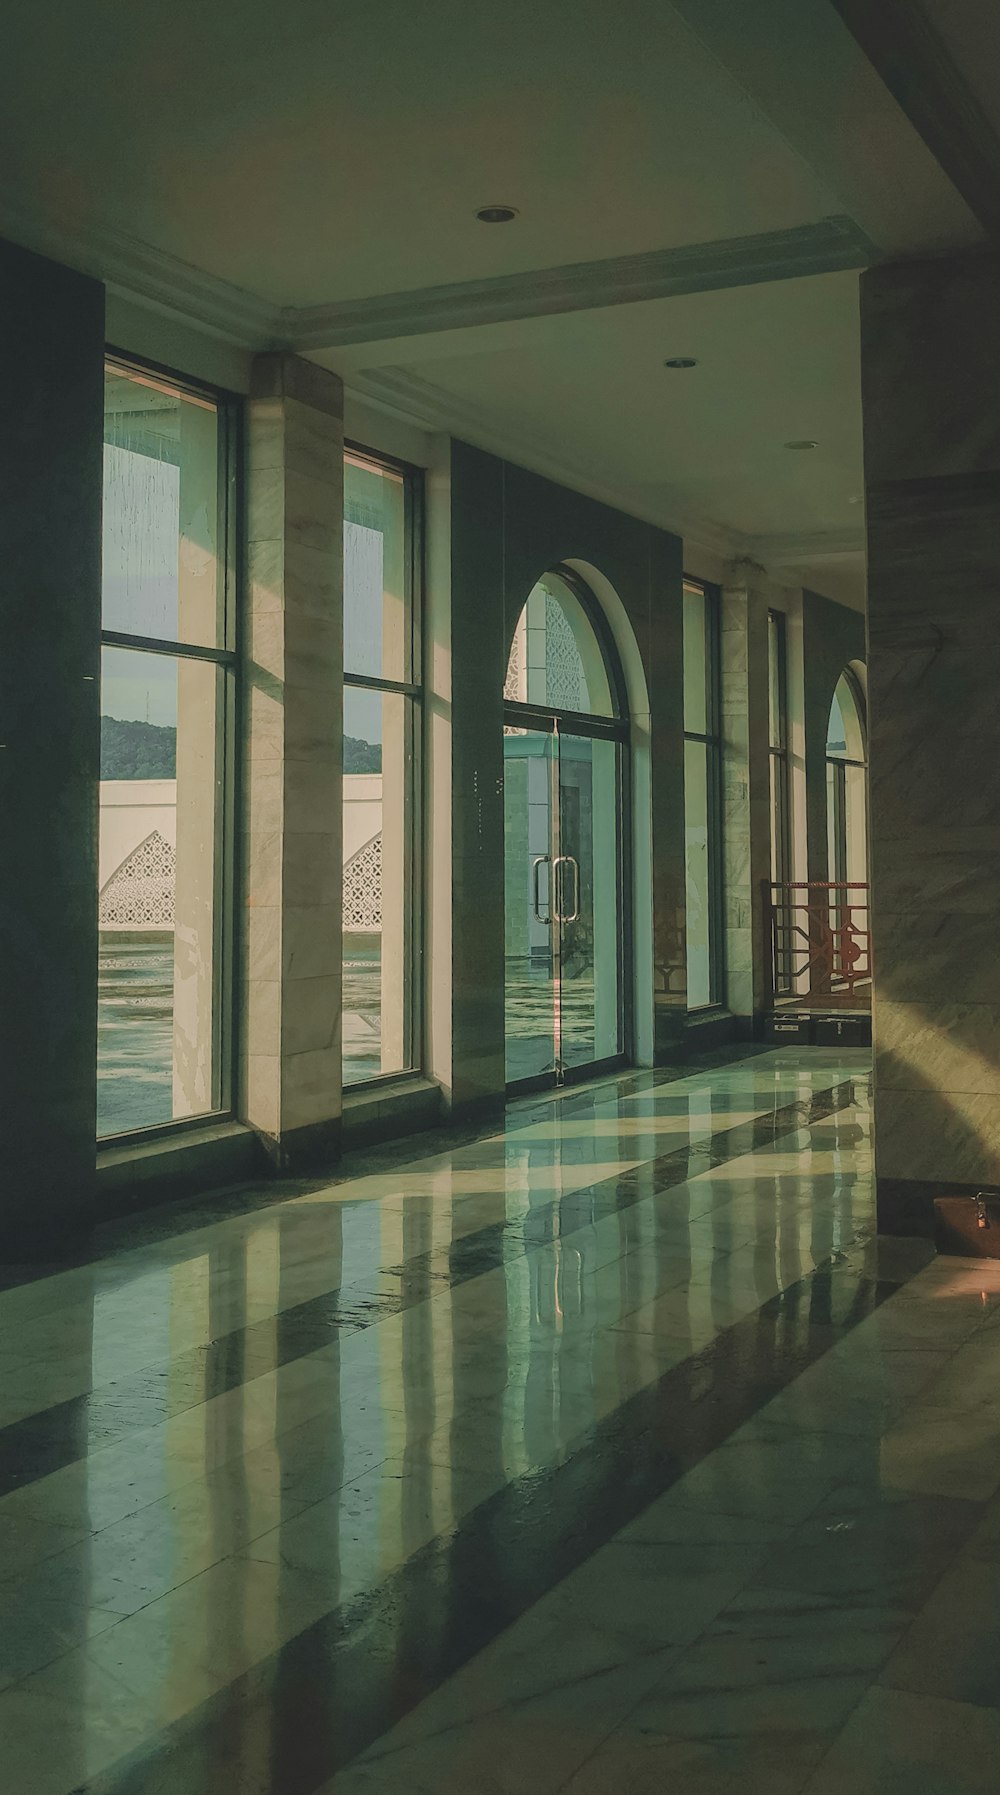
x=412, y=692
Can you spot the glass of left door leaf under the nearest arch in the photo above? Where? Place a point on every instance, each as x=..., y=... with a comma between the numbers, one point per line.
x=529, y=906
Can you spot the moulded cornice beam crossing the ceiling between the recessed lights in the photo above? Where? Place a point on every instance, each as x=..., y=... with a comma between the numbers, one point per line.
x=829, y=247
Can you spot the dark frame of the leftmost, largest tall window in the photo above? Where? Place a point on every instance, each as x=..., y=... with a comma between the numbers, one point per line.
x=225, y=656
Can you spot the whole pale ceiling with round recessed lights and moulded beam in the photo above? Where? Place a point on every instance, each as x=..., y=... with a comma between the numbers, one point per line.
x=703, y=179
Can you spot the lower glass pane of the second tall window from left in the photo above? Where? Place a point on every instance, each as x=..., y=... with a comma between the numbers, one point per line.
x=378, y=769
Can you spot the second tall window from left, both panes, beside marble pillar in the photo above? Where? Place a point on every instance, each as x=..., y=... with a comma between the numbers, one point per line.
x=382, y=735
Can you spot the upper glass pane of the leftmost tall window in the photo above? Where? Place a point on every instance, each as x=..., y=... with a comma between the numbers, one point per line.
x=162, y=566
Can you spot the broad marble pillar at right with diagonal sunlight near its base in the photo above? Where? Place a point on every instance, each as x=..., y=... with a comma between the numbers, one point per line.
x=931, y=381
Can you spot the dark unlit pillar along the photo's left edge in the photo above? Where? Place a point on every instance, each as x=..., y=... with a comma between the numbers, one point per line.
x=51, y=448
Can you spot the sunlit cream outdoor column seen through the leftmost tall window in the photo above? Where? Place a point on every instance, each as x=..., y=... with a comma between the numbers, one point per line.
x=198, y=773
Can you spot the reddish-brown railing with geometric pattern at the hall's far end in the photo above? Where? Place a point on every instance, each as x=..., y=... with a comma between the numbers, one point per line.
x=820, y=945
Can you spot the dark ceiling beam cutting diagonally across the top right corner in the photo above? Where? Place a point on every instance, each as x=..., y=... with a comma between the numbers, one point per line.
x=915, y=64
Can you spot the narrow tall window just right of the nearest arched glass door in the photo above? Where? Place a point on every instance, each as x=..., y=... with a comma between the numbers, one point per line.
x=703, y=798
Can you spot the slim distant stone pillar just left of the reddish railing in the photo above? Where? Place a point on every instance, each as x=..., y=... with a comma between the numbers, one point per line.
x=746, y=791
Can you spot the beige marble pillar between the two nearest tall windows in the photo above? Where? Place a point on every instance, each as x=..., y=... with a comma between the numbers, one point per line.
x=294, y=873
